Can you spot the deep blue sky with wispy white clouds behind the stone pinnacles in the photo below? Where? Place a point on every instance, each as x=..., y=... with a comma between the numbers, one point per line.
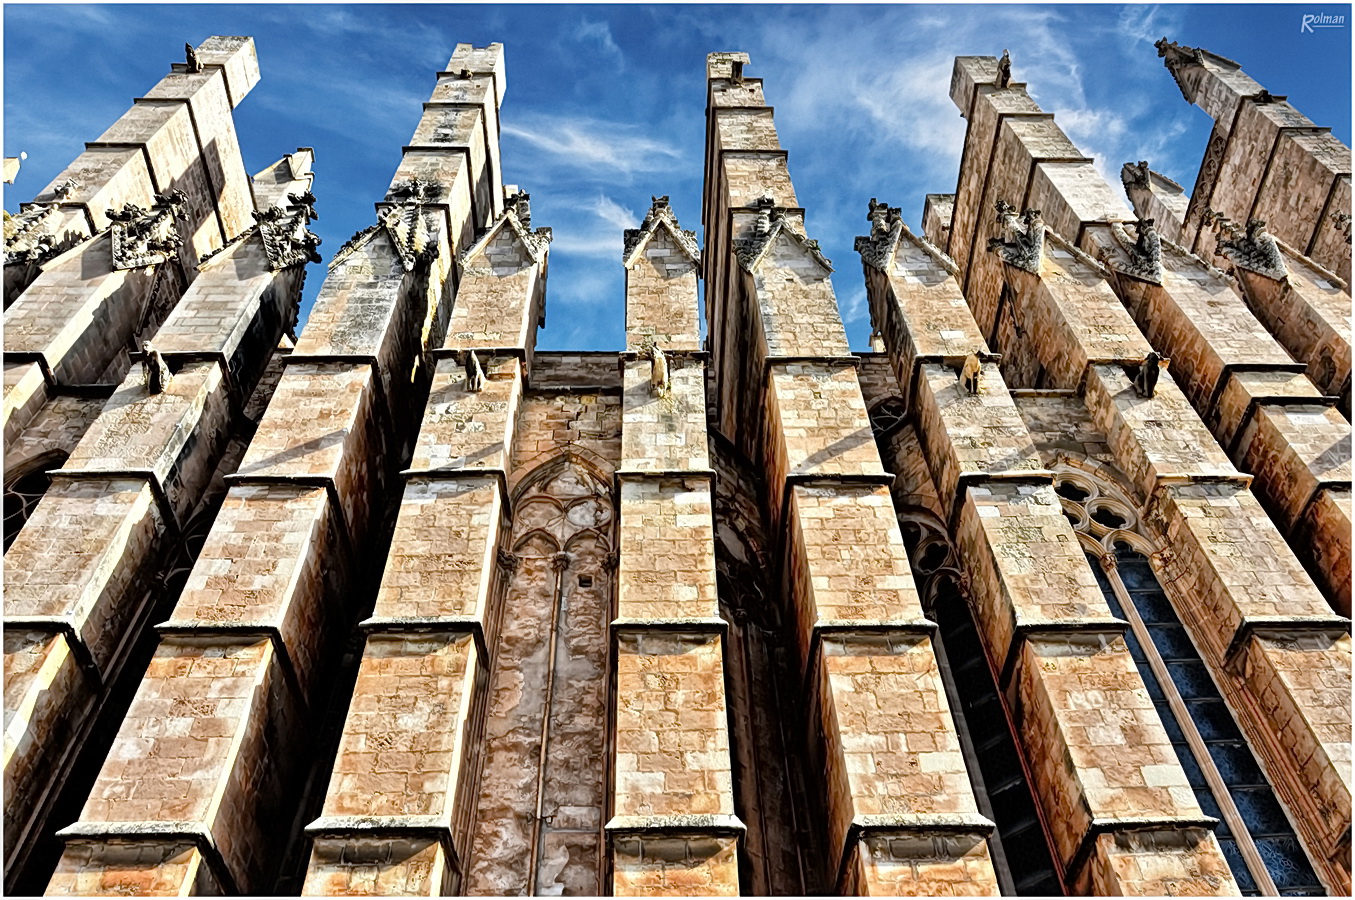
x=606, y=104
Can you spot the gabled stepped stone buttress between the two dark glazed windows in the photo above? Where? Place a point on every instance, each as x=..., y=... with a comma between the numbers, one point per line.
x=1112, y=814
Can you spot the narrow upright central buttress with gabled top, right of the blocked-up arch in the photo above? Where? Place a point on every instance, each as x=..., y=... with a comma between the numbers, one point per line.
x=673, y=829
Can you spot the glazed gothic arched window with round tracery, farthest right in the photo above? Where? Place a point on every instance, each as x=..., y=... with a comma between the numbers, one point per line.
x=1254, y=832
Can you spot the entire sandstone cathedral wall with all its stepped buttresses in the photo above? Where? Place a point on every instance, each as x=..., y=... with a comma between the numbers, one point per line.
x=1045, y=594
